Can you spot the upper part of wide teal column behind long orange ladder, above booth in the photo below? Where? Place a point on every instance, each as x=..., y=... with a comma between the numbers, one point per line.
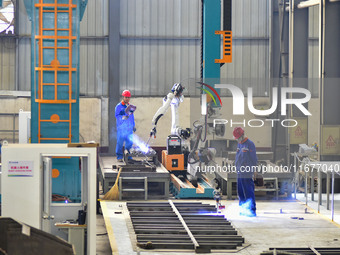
x=49, y=128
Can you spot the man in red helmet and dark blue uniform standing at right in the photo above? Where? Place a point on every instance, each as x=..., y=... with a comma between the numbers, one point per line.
x=246, y=164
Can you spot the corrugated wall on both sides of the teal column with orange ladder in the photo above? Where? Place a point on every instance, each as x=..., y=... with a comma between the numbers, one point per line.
x=93, y=52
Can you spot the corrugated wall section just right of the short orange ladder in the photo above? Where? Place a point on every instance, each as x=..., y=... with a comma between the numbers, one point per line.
x=250, y=27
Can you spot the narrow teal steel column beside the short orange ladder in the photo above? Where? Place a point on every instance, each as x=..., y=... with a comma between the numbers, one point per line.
x=211, y=42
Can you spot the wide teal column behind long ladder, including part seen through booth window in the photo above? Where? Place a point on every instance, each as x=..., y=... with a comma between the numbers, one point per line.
x=69, y=182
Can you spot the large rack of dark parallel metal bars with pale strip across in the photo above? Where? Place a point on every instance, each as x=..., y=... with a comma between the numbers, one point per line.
x=168, y=225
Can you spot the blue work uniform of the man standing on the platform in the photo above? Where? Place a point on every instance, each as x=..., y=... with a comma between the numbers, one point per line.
x=125, y=126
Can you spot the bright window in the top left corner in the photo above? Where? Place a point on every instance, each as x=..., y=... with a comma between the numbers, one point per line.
x=7, y=14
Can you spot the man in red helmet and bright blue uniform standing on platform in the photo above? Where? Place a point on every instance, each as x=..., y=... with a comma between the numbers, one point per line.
x=125, y=124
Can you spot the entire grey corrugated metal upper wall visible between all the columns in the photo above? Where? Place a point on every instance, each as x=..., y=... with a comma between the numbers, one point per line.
x=160, y=45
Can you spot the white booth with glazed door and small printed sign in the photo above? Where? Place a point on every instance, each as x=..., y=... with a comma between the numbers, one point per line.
x=26, y=187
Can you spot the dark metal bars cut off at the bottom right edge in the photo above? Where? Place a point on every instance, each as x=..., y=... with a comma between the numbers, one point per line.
x=304, y=251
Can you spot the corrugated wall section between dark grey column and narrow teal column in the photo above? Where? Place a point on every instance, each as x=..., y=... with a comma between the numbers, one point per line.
x=160, y=44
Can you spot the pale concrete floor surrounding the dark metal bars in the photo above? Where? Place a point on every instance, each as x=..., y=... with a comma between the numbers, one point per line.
x=269, y=229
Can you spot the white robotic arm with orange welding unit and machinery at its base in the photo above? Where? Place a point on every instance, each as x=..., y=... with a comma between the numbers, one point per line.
x=195, y=158
